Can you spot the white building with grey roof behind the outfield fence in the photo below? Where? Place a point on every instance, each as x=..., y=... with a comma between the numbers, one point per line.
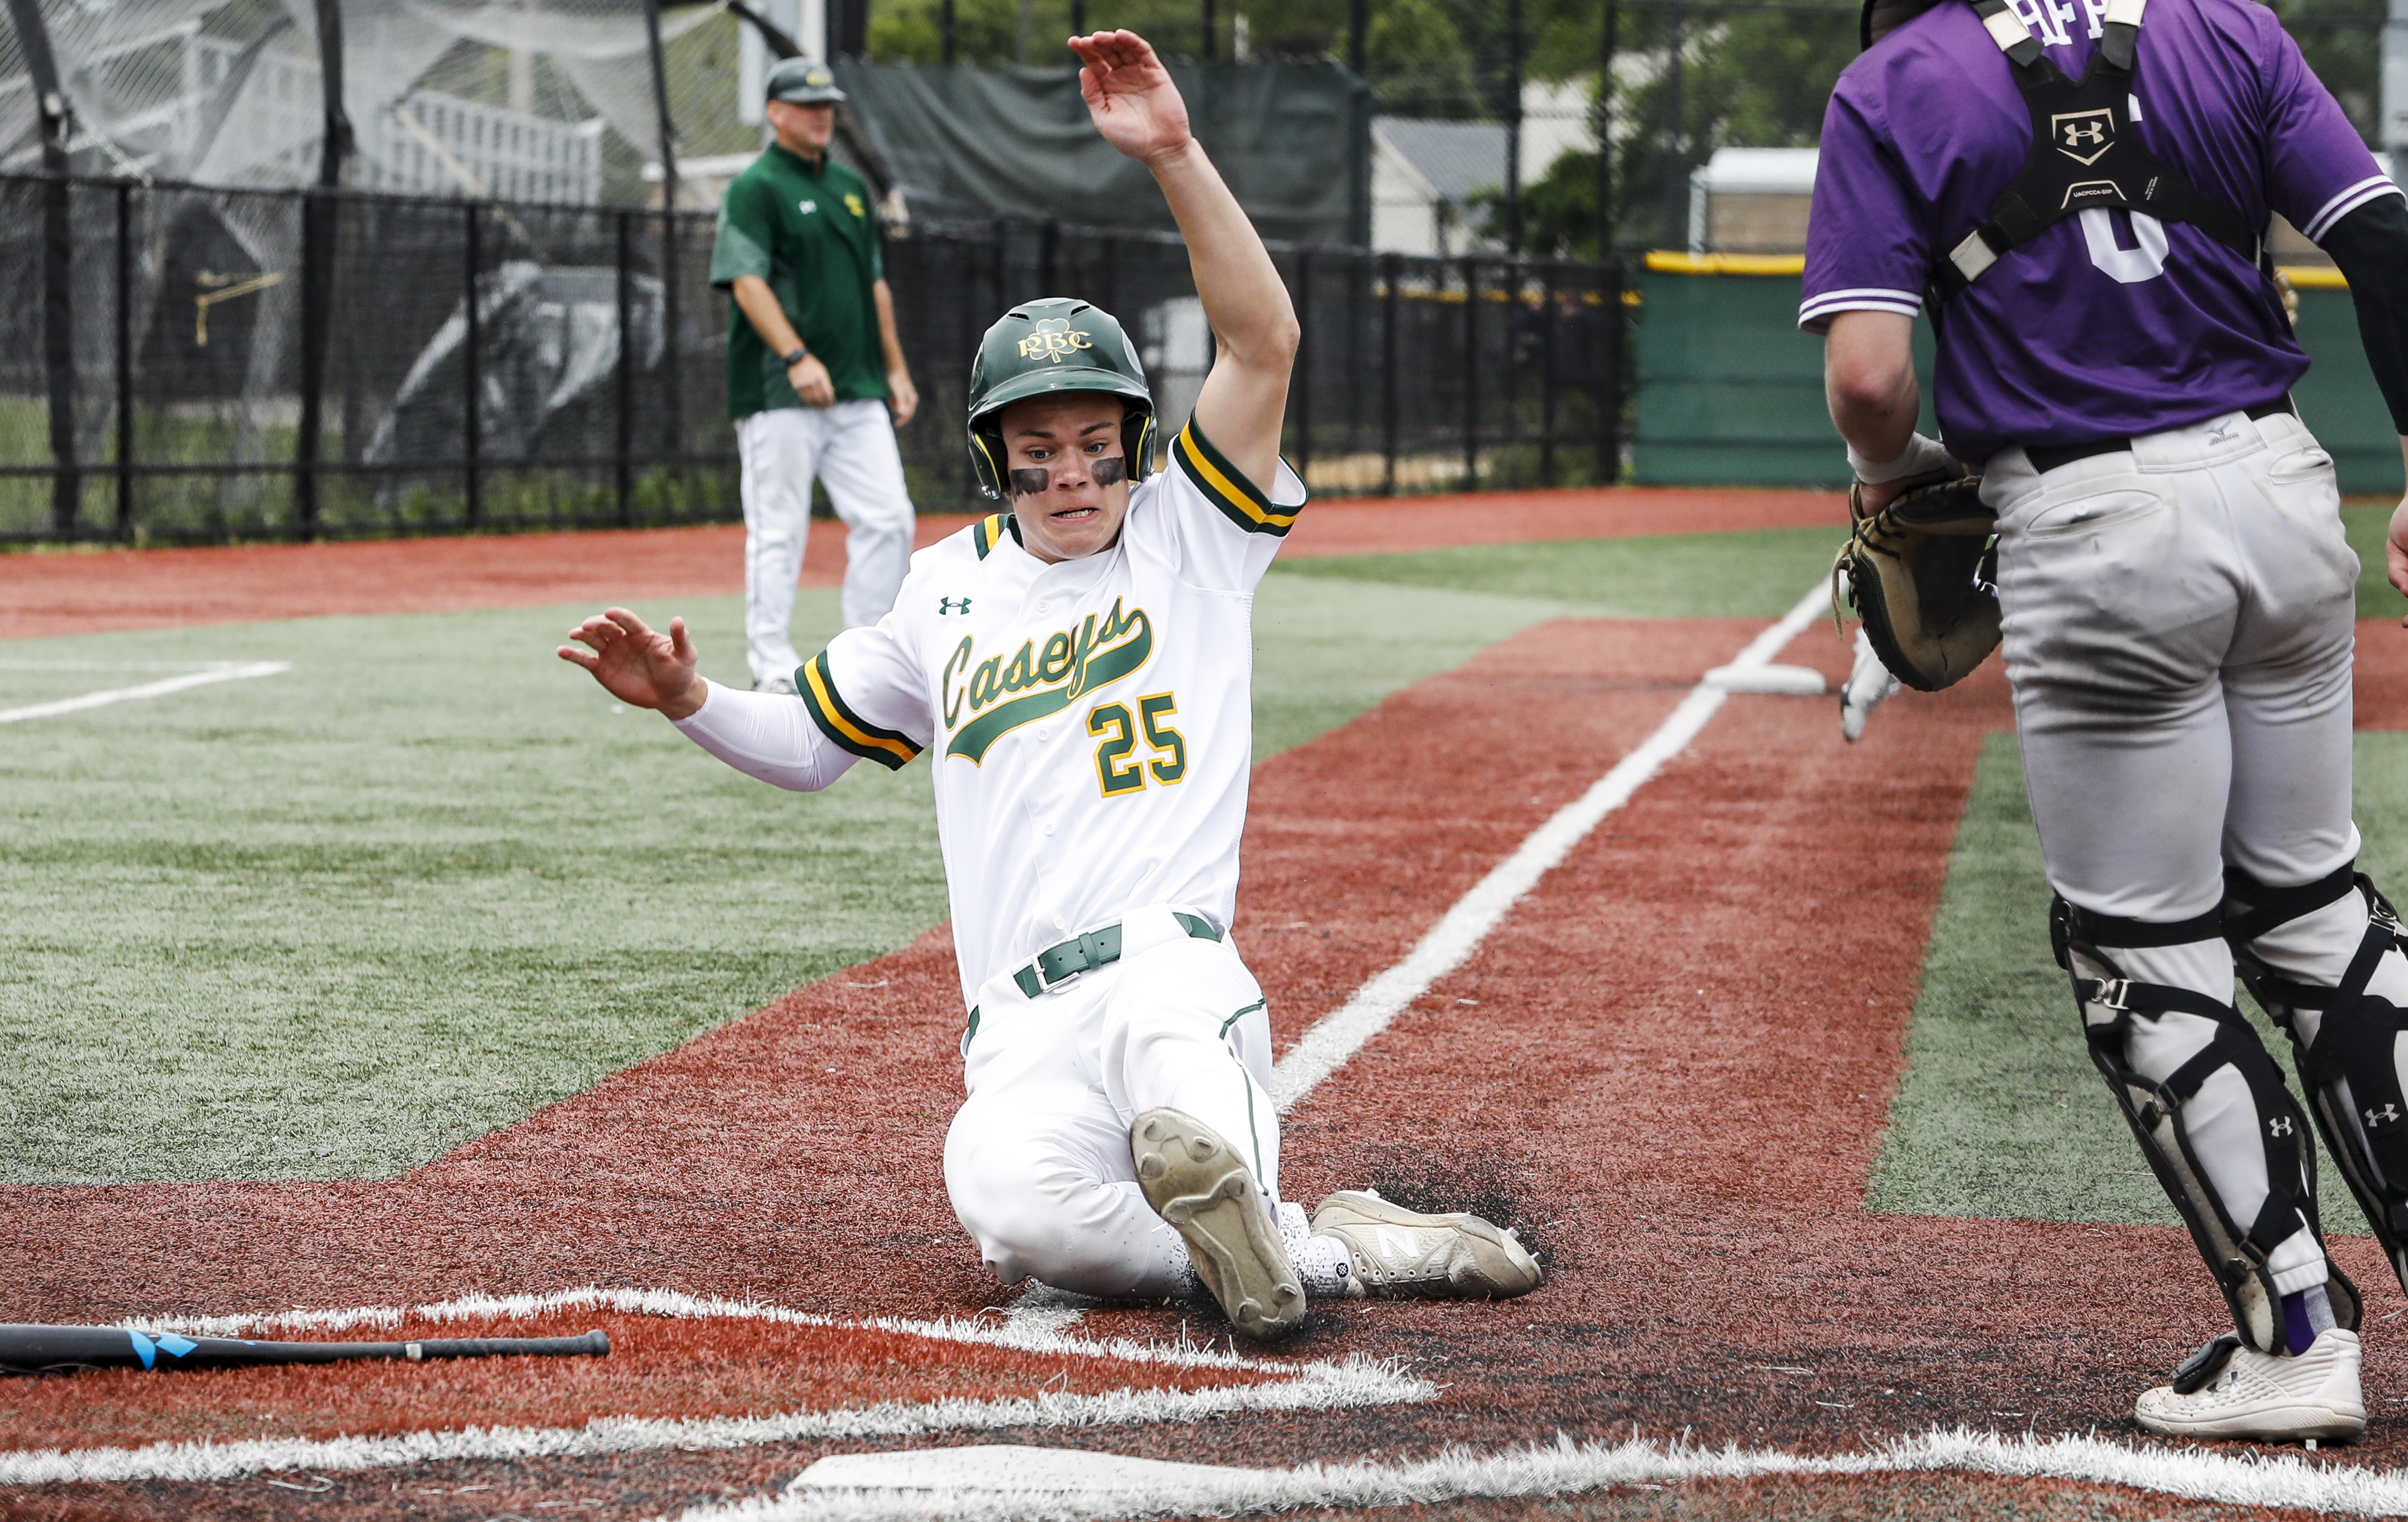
x=1427, y=172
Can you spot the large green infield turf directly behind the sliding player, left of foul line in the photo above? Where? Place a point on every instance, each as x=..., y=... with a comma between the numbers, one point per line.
x=338, y=921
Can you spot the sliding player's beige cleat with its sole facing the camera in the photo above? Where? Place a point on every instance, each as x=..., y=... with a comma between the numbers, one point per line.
x=1196, y=1181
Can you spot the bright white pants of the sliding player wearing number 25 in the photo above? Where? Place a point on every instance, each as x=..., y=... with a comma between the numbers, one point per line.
x=1039, y=1157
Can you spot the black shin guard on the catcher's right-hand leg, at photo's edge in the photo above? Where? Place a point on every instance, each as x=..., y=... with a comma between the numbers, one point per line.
x=2349, y=1068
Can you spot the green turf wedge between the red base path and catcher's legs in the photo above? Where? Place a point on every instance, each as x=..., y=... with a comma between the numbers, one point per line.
x=2000, y=1111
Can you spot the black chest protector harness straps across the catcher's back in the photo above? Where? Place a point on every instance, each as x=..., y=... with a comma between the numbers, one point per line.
x=2084, y=153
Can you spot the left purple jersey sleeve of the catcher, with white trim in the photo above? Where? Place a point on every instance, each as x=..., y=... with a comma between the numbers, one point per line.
x=1865, y=240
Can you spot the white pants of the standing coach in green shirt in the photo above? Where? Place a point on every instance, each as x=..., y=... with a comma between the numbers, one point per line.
x=851, y=449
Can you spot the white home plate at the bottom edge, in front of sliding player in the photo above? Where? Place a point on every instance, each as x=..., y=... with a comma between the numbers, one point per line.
x=1001, y=1470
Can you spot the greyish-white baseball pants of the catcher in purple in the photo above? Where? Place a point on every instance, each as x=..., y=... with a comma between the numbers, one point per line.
x=2178, y=627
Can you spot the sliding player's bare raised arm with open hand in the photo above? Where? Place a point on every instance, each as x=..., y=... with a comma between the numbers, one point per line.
x=1140, y=112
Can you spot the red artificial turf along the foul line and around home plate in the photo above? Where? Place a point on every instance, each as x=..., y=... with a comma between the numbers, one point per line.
x=1670, y=1066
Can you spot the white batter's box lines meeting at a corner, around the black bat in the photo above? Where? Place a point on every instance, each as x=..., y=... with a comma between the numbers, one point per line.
x=1316, y=1386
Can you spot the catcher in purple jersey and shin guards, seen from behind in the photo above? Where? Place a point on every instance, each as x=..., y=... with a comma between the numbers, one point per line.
x=2077, y=196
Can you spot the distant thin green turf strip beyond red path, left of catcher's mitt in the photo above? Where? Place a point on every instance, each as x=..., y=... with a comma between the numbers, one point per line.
x=1655, y=577
